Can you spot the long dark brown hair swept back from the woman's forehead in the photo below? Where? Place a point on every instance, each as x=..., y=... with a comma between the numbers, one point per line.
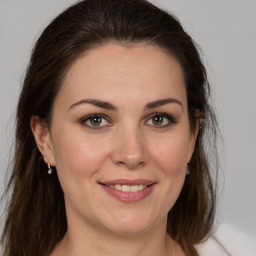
x=36, y=219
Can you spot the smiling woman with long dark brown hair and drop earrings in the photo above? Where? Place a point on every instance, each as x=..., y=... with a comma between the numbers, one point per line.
x=110, y=140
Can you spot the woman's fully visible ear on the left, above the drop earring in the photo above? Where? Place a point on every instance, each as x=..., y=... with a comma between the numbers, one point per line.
x=43, y=139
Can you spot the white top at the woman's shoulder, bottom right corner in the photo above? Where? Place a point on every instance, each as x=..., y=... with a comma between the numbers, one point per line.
x=228, y=241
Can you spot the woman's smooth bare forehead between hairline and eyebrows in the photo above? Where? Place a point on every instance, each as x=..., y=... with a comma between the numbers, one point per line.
x=113, y=72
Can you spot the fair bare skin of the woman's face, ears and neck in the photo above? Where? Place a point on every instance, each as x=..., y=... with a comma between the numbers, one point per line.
x=127, y=144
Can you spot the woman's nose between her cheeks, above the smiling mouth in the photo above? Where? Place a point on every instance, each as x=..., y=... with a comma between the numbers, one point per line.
x=130, y=149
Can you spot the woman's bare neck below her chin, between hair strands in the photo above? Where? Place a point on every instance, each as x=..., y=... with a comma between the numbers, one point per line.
x=81, y=240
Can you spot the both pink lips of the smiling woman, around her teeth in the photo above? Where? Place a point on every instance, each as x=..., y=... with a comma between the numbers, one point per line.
x=129, y=196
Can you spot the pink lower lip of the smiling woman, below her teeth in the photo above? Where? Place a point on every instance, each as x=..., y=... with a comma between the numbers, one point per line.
x=129, y=196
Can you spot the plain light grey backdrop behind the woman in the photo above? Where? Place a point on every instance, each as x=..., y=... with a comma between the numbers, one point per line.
x=226, y=33
